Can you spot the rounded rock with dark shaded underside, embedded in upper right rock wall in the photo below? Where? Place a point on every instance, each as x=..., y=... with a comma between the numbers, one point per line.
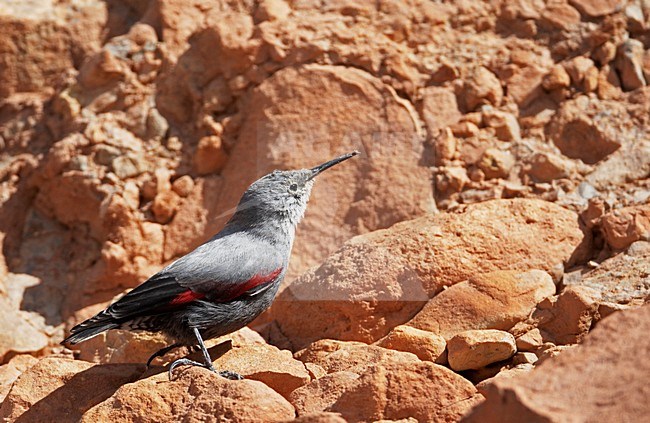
x=580, y=133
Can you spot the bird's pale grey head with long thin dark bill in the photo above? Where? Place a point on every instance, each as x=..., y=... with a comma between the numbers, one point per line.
x=283, y=193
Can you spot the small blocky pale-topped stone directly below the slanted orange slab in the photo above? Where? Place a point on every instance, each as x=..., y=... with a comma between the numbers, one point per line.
x=474, y=349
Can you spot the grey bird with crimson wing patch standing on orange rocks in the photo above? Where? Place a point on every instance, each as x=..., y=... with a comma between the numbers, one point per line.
x=226, y=282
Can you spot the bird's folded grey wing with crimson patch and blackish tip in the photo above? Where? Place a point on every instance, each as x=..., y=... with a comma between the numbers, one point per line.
x=221, y=270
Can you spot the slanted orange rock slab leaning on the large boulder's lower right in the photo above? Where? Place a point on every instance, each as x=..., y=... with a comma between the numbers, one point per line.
x=495, y=300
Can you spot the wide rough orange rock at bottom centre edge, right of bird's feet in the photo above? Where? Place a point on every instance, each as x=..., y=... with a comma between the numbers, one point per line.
x=389, y=390
